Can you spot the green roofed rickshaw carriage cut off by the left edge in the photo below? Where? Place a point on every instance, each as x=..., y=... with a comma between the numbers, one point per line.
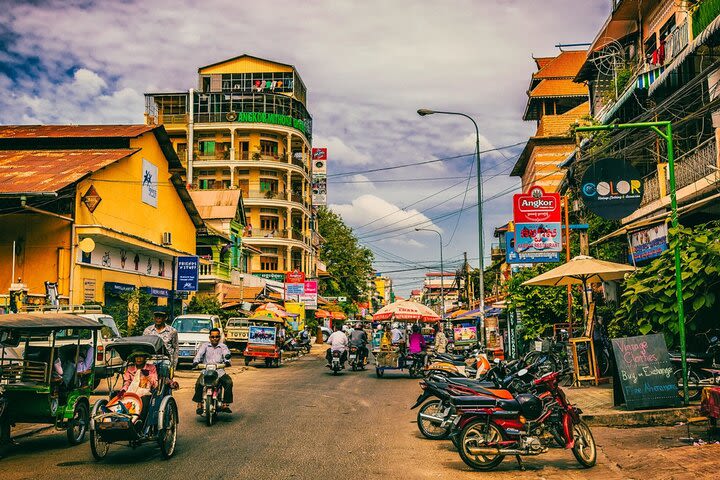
x=46, y=372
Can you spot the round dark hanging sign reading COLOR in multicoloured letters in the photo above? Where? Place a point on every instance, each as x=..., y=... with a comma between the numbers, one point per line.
x=612, y=188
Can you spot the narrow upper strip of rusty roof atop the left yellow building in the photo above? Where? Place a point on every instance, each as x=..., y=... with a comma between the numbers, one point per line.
x=70, y=131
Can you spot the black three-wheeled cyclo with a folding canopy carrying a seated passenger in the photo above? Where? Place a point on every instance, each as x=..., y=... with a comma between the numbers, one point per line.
x=122, y=420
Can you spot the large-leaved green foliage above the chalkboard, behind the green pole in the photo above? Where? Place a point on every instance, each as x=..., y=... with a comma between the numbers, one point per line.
x=649, y=303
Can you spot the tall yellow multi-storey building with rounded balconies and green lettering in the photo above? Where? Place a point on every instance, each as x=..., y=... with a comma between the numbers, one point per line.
x=249, y=129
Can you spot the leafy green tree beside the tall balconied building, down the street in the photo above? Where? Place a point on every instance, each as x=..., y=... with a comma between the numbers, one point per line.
x=348, y=263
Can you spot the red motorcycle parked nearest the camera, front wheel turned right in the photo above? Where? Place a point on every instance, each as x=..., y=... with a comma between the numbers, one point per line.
x=489, y=428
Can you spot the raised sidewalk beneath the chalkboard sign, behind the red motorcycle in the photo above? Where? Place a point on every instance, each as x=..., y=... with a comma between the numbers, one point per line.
x=596, y=403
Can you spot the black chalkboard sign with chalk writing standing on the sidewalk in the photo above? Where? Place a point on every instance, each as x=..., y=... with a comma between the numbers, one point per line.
x=644, y=372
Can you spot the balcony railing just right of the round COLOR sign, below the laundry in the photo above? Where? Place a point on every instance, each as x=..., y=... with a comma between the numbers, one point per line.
x=690, y=167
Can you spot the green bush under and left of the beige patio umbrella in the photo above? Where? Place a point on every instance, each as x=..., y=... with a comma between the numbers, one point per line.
x=540, y=307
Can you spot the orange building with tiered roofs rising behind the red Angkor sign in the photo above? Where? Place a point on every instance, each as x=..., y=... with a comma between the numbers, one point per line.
x=555, y=102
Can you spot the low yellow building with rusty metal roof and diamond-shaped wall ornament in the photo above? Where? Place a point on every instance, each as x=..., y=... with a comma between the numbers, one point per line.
x=117, y=185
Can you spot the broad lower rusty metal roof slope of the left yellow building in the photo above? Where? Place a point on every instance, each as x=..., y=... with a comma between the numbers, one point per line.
x=46, y=171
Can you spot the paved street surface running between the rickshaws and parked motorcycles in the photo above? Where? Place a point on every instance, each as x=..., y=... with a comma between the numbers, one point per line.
x=300, y=422
